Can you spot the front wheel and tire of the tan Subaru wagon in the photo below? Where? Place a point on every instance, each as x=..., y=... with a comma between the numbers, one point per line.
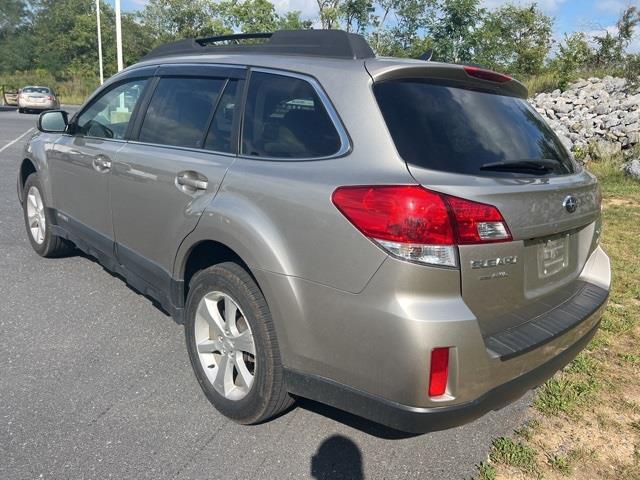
x=43, y=241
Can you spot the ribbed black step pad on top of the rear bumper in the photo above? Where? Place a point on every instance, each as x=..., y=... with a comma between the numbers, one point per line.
x=544, y=328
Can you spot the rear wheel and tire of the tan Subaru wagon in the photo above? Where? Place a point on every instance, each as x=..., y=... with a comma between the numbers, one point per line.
x=266, y=395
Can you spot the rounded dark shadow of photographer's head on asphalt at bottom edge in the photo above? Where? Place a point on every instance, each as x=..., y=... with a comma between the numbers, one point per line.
x=337, y=457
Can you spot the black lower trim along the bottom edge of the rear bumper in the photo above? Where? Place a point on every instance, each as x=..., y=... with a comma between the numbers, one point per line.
x=421, y=420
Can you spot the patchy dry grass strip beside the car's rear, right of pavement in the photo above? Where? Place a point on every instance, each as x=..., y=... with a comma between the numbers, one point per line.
x=586, y=420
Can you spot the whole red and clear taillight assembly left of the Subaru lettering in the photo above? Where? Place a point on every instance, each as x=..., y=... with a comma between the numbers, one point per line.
x=417, y=224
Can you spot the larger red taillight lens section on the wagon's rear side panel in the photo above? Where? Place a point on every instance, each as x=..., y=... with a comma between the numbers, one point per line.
x=404, y=214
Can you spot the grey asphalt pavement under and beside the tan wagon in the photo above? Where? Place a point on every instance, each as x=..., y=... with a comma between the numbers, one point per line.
x=95, y=382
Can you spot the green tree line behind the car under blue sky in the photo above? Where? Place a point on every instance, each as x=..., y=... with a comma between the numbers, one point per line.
x=57, y=38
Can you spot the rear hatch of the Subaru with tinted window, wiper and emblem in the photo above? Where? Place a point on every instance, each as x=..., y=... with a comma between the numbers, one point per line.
x=470, y=133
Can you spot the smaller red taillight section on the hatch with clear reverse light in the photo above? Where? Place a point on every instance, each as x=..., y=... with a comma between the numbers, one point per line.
x=477, y=222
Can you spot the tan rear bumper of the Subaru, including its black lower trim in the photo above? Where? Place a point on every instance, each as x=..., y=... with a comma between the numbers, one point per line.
x=375, y=361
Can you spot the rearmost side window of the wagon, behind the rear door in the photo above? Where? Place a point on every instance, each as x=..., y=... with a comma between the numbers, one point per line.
x=285, y=118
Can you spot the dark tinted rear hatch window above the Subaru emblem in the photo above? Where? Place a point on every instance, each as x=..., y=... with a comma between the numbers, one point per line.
x=457, y=130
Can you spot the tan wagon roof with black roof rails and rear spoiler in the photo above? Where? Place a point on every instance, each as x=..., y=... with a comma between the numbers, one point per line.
x=321, y=53
